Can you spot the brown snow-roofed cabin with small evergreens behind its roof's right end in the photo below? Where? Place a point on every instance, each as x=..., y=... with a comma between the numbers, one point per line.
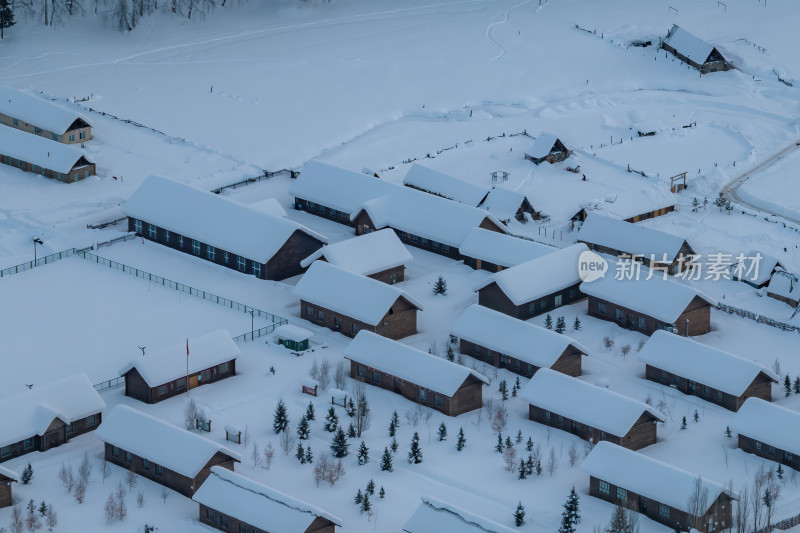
x=518, y=346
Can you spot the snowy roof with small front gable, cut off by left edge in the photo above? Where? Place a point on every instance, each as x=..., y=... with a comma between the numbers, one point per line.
x=29, y=413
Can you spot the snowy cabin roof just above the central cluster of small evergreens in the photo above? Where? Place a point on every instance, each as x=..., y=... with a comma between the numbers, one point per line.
x=409, y=364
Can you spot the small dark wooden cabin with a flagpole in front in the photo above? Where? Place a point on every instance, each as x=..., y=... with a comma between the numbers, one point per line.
x=203, y=360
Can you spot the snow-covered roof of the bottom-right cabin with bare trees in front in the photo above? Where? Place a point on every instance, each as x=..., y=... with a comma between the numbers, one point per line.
x=649, y=477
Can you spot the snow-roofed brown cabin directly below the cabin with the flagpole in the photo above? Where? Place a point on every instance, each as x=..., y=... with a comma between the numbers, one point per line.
x=160, y=451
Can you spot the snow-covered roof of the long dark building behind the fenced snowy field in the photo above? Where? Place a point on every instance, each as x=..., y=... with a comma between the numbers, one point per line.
x=212, y=219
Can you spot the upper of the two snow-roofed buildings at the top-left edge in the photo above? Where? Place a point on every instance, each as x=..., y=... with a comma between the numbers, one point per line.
x=31, y=114
